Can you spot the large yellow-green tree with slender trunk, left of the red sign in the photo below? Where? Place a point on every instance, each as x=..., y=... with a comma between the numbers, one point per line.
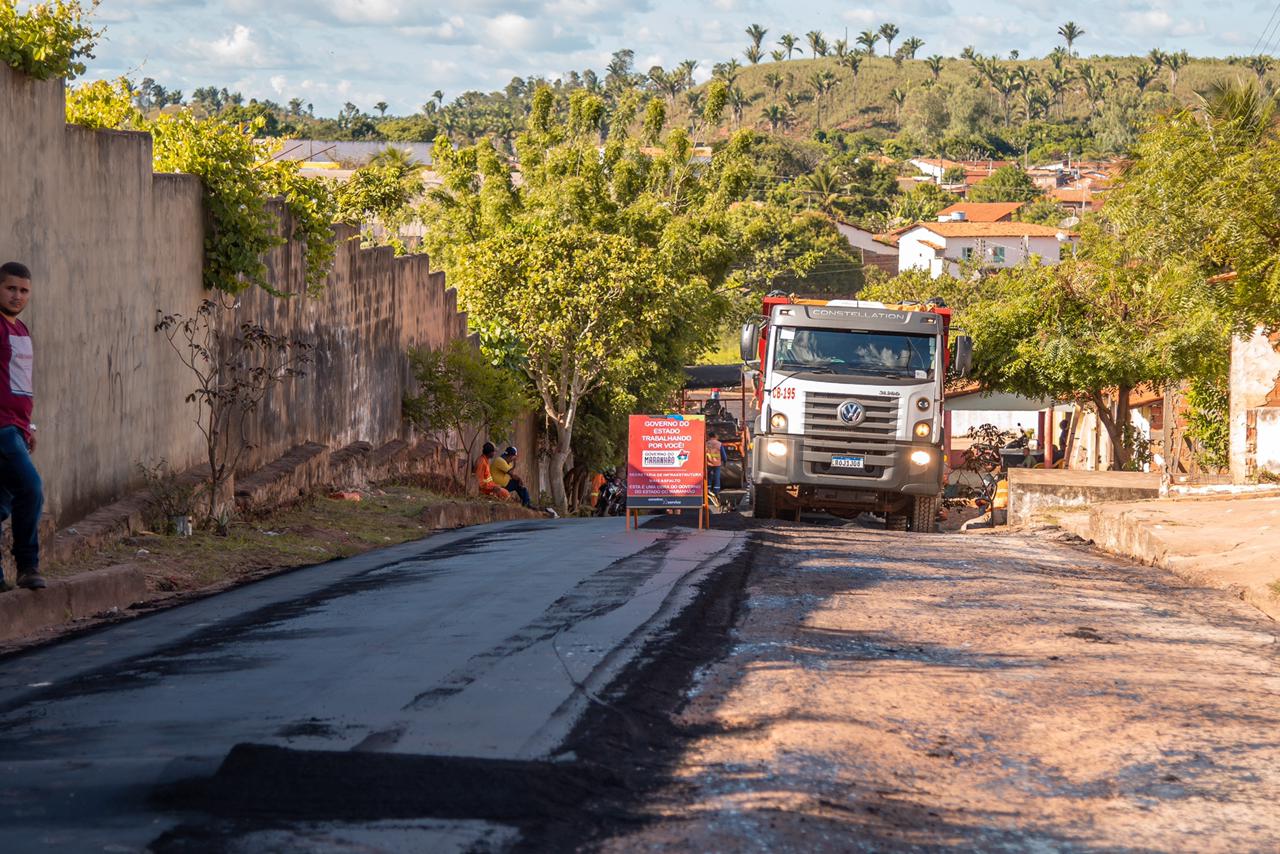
x=596, y=267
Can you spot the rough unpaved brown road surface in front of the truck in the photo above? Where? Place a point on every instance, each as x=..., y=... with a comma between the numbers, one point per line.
x=904, y=692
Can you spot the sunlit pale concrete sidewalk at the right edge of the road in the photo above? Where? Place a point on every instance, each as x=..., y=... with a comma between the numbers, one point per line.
x=1226, y=542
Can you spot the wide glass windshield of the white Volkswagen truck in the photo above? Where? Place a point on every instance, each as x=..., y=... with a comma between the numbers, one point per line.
x=845, y=351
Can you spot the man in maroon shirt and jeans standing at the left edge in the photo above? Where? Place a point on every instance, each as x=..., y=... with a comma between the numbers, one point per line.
x=21, y=492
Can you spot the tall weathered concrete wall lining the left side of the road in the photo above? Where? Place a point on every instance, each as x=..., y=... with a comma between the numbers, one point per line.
x=111, y=244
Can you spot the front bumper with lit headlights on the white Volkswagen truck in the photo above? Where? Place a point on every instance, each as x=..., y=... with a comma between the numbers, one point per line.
x=900, y=477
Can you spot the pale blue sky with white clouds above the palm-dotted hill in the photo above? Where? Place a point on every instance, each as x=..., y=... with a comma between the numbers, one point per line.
x=330, y=52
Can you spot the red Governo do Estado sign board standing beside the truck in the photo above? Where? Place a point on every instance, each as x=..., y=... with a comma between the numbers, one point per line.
x=666, y=462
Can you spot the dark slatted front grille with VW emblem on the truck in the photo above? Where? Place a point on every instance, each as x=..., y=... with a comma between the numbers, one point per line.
x=826, y=436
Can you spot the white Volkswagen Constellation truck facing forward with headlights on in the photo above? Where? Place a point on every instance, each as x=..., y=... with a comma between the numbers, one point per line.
x=851, y=408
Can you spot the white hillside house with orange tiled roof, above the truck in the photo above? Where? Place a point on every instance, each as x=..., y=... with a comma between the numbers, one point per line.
x=943, y=248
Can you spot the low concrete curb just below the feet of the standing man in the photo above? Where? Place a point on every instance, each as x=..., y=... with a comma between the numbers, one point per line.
x=25, y=613
